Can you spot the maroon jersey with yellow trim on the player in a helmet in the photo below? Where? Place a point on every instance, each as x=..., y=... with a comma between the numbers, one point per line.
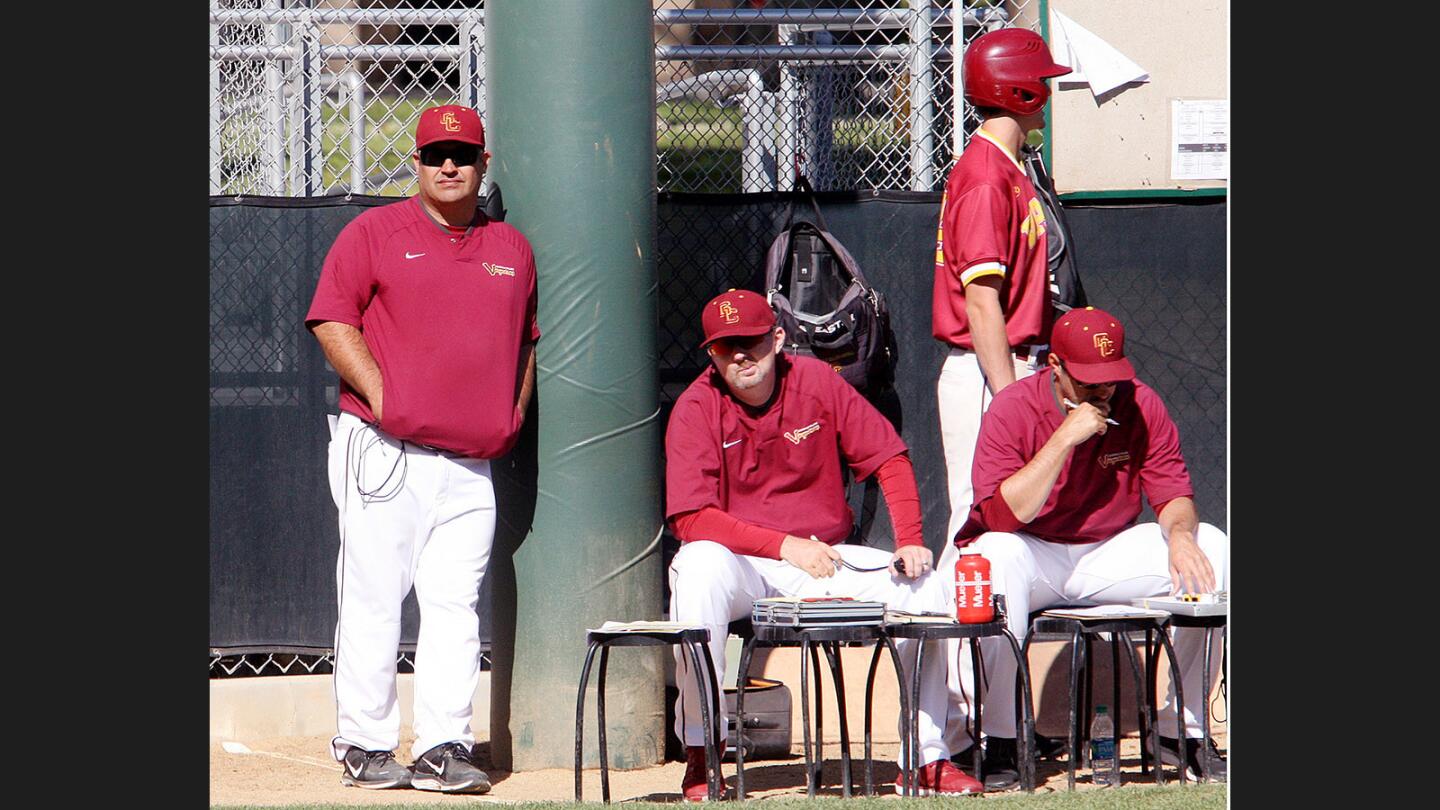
x=991, y=224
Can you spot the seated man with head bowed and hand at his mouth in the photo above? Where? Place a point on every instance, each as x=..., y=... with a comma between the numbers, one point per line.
x=1061, y=466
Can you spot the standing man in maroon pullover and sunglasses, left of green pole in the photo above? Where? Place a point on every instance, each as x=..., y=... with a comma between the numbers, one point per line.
x=427, y=309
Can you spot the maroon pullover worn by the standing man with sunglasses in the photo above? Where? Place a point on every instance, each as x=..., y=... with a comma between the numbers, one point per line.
x=444, y=318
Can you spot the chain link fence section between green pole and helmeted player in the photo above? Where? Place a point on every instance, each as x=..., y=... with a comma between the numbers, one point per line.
x=855, y=94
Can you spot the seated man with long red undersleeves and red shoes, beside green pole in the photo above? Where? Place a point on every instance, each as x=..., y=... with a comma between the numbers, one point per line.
x=755, y=492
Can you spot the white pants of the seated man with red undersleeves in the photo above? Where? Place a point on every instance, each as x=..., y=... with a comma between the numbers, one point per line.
x=712, y=586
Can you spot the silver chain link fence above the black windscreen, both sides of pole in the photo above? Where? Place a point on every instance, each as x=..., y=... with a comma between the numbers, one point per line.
x=320, y=97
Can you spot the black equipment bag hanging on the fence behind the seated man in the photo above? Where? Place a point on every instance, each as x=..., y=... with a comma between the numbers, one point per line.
x=824, y=303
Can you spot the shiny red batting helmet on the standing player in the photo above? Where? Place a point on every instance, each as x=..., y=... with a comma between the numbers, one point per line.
x=1009, y=68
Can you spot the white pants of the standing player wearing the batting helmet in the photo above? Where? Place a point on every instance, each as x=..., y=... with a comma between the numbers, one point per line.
x=963, y=399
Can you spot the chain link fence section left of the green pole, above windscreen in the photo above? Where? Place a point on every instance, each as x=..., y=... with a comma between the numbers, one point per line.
x=320, y=97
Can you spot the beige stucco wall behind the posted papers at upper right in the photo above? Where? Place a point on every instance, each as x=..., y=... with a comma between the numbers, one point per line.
x=1122, y=141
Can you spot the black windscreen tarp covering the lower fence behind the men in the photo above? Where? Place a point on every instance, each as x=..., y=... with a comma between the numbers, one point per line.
x=1160, y=267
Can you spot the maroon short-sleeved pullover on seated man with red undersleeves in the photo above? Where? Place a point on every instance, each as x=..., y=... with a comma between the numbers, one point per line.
x=781, y=468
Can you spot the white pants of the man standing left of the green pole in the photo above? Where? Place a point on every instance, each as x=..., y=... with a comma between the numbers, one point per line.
x=408, y=517
